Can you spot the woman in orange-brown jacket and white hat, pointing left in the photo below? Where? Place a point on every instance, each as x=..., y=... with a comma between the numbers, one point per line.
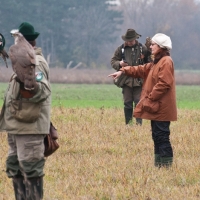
x=158, y=98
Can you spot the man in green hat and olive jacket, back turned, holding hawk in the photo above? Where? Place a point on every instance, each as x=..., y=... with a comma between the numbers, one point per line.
x=25, y=116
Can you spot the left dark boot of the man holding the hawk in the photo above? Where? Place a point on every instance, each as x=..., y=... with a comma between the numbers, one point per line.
x=19, y=187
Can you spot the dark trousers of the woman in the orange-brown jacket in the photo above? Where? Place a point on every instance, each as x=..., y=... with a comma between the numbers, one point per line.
x=160, y=136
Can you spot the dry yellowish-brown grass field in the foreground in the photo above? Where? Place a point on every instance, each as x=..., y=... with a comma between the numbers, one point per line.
x=102, y=159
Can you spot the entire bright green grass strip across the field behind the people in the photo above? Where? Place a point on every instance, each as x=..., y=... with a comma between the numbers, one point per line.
x=107, y=96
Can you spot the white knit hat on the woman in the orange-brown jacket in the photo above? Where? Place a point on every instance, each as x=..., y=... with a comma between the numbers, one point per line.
x=162, y=40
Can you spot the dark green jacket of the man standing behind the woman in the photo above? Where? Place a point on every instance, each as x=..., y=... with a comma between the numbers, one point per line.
x=135, y=55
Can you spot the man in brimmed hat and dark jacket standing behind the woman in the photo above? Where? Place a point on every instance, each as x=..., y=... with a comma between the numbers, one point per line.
x=130, y=53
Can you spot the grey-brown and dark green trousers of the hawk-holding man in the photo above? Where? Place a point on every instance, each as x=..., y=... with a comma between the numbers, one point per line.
x=25, y=155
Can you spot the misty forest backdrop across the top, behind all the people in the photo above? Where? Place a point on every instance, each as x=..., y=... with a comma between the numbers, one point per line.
x=85, y=33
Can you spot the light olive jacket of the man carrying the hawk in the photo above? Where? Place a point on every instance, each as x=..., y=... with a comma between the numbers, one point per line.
x=32, y=115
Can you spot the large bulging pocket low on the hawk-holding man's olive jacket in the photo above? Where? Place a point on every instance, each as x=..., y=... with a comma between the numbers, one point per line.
x=24, y=110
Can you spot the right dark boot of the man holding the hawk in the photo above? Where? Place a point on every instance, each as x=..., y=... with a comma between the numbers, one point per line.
x=34, y=188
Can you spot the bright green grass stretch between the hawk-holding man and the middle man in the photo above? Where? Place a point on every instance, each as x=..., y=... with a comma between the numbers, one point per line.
x=86, y=95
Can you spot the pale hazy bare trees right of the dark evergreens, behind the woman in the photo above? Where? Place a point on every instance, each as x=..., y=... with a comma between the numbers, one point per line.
x=177, y=18
